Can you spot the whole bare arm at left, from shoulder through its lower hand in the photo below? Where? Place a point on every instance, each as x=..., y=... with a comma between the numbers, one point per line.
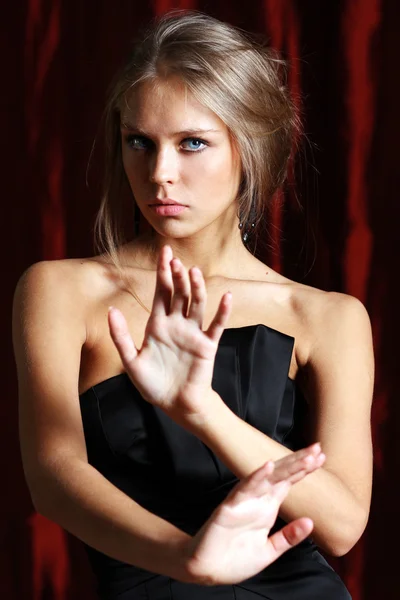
x=49, y=332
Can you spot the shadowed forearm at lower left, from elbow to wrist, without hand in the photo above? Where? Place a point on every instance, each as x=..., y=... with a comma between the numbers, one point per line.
x=87, y=505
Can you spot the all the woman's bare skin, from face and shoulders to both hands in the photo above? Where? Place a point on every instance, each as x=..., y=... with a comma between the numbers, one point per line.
x=184, y=274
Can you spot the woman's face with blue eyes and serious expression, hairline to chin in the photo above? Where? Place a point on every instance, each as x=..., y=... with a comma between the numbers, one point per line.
x=175, y=148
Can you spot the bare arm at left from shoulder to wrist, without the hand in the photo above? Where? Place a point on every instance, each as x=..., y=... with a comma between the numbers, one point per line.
x=48, y=334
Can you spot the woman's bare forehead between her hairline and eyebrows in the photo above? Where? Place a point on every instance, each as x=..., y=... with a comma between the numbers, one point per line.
x=167, y=105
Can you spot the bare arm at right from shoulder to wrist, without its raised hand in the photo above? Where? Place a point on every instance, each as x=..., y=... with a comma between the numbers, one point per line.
x=340, y=386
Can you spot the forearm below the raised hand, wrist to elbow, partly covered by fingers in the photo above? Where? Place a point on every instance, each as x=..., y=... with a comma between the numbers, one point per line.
x=322, y=496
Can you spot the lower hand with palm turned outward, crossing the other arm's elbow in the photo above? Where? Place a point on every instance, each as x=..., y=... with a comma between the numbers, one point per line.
x=233, y=544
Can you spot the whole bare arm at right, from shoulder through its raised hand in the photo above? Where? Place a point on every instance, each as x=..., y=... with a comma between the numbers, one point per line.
x=340, y=372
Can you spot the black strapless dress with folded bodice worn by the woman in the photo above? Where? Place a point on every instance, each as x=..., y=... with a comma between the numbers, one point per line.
x=174, y=475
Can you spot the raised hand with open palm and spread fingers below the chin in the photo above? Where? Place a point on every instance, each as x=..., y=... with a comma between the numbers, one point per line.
x=174, y=367
